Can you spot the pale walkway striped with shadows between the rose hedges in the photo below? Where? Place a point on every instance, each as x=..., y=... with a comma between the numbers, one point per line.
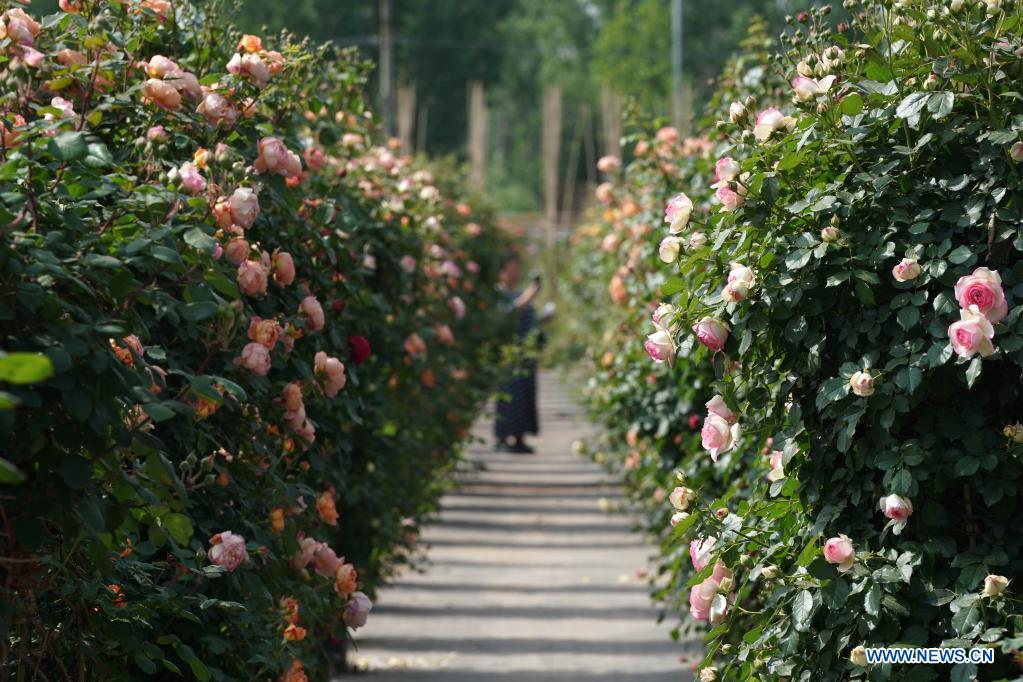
x=529, y=577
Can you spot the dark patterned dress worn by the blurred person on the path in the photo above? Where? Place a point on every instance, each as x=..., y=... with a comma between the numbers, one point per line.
x=517, y=415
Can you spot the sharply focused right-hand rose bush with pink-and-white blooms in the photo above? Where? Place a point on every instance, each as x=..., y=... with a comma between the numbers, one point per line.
x=858, y=298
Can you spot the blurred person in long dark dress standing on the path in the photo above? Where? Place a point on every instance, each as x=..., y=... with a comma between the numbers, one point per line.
x=517, y=414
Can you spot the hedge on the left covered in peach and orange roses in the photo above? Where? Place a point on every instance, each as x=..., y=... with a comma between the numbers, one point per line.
x=237, y=376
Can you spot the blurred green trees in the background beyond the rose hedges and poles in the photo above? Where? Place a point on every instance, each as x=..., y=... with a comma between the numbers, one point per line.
x=516, y=48
